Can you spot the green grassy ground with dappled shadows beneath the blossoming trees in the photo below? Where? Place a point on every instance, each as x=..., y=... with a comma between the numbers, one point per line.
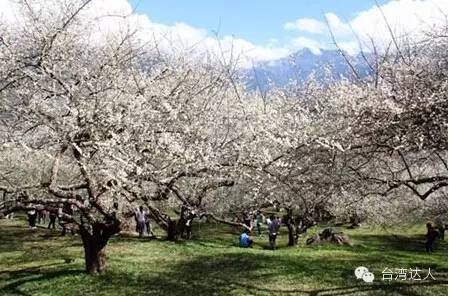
x=40, y=262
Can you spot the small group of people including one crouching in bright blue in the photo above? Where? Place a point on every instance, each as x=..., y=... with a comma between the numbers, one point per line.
x=273, y=223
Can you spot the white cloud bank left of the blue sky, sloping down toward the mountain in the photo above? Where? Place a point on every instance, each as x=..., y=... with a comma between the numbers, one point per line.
x=107, y=18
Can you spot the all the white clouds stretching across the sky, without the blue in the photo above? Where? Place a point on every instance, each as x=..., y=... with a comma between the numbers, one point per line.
x=107, y=18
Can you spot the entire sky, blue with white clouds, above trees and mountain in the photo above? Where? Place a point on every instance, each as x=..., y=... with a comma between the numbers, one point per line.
x=257, y=30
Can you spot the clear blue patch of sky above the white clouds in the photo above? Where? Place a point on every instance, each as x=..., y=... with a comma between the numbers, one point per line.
x=258, y=21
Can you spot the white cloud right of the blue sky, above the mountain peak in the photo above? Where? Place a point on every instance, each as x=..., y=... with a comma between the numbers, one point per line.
x=406, y=18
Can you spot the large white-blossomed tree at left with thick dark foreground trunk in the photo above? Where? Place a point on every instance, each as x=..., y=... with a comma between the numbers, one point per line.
x=107, y=126
